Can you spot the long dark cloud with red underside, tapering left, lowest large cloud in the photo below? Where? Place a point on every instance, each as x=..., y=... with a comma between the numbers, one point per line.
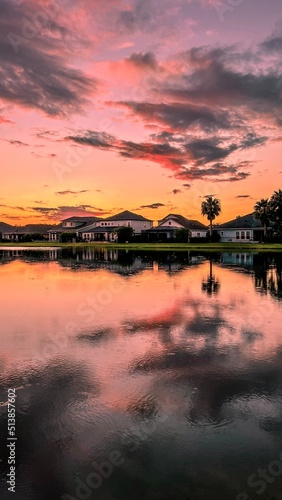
x=187, y=160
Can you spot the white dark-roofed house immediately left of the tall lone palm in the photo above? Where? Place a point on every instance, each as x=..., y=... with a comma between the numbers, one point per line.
x=168, y=226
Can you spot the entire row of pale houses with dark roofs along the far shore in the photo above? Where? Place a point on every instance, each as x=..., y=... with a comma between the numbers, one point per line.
x=89, y=229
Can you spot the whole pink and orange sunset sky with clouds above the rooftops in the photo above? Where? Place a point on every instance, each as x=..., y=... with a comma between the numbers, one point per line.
x=142, y=105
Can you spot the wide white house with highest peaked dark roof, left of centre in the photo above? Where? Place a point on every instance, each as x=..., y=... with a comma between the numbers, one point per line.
x=105, y=229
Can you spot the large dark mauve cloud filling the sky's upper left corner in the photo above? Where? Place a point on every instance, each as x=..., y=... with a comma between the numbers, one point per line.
x=34, y=70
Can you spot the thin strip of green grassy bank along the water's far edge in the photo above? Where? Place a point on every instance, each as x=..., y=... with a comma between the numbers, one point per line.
x=204, y=247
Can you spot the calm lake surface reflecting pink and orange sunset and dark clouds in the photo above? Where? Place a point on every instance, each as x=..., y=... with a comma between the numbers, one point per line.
x=142, y=376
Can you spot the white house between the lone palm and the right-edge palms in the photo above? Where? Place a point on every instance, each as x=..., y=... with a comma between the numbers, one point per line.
x=243, y=229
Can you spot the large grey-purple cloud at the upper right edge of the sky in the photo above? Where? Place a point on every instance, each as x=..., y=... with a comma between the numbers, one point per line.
x=213, y=80
